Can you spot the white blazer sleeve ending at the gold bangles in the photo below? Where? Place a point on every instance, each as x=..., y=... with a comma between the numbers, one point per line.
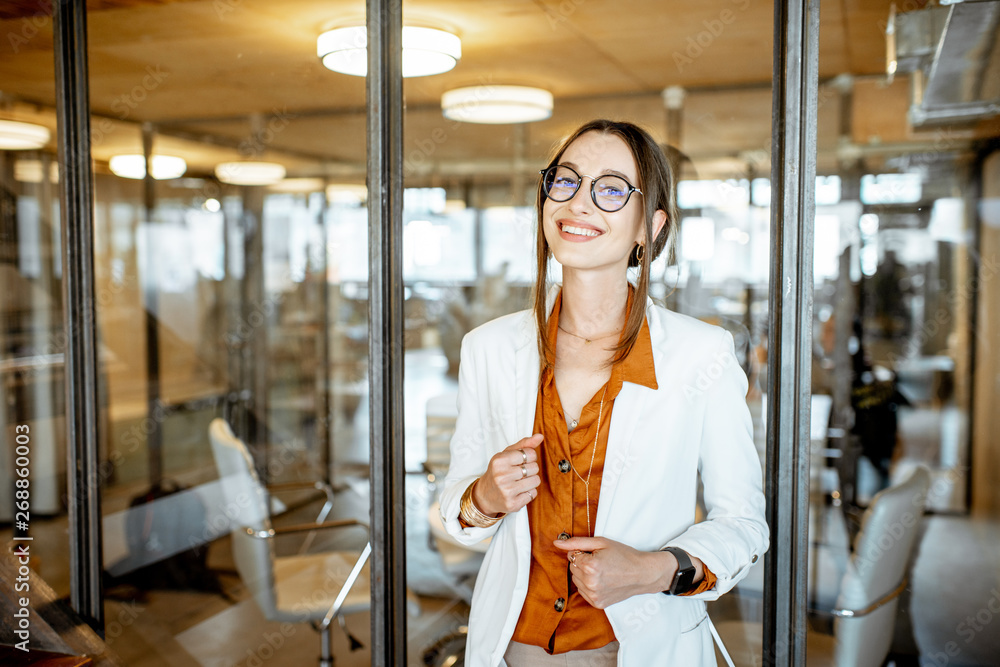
x=470, y=446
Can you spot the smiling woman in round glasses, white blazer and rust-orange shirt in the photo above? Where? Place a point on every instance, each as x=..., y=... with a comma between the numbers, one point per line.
x=589, y=379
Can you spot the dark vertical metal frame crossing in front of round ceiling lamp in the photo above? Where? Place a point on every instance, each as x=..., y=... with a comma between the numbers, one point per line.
x=385, y=312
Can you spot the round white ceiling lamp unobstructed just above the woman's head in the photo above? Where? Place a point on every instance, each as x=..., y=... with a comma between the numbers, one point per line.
x=495, y=105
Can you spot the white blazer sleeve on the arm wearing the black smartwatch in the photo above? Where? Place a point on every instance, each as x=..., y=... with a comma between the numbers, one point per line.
x=734, y=534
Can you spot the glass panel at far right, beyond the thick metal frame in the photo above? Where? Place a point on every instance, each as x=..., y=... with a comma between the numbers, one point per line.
x=901, y=333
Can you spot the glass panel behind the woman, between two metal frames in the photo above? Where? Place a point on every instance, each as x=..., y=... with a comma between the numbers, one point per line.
x=696, y=78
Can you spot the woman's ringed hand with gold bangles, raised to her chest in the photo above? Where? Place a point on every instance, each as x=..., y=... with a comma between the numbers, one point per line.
x=510, y=480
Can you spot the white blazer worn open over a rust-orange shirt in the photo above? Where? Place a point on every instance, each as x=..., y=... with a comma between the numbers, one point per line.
x=697, y=421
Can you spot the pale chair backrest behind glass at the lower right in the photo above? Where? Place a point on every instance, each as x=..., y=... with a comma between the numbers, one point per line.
x=882, y=551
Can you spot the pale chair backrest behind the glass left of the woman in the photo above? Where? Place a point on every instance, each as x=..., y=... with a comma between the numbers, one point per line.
x=246, y=507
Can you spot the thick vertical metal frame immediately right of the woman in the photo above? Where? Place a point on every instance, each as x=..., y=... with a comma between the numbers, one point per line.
x=793, y=181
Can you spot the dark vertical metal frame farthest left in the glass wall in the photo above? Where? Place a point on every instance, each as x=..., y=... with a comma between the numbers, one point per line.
x=69, y=28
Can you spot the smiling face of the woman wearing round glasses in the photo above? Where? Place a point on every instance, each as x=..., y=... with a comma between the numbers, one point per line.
x=582, y=236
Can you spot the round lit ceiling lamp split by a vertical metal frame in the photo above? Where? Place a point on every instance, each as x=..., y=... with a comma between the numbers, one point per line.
x=426, y=51
